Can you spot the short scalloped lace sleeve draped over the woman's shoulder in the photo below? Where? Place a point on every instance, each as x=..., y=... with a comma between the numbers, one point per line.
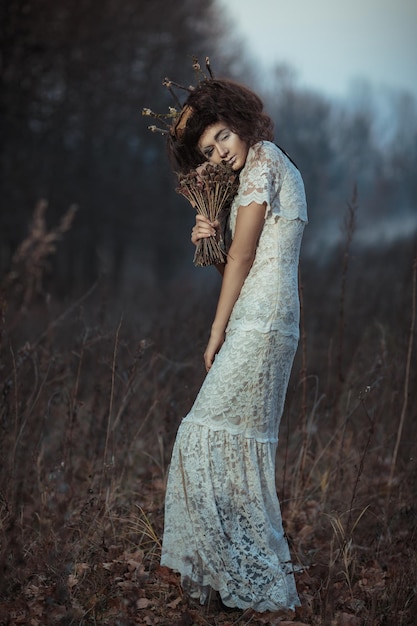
x=270, y=177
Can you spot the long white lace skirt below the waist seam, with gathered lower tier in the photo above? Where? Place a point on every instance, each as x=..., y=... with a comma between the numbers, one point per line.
x=223, y=525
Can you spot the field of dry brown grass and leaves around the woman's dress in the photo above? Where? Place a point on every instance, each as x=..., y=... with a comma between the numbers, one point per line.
x=90, y=402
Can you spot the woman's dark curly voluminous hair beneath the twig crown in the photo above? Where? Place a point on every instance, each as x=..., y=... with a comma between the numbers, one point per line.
x=212, y=101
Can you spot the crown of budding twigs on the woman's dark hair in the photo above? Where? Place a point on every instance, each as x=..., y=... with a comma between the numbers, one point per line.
x=175, y=120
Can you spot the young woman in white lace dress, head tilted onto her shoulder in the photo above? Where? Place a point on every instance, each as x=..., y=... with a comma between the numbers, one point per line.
x=223, y=527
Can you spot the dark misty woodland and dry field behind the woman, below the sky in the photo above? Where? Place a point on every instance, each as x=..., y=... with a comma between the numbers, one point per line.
x=104, y=321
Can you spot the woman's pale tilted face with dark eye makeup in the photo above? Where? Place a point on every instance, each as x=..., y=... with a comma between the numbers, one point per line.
x=218, y=143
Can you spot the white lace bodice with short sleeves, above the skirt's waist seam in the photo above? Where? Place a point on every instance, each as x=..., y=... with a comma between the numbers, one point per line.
x=269, y=296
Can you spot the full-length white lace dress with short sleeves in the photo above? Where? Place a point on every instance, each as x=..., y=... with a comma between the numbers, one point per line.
x=223, y=527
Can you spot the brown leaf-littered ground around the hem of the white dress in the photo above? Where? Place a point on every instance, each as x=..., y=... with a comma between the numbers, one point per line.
x=95, y=561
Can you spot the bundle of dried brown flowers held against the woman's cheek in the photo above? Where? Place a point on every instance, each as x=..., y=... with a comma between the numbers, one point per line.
x=210, y=192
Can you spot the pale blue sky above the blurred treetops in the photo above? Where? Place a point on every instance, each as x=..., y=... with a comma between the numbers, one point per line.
x=331, y=43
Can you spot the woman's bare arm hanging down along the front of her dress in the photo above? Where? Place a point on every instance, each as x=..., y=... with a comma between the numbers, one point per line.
x=249, y=224
